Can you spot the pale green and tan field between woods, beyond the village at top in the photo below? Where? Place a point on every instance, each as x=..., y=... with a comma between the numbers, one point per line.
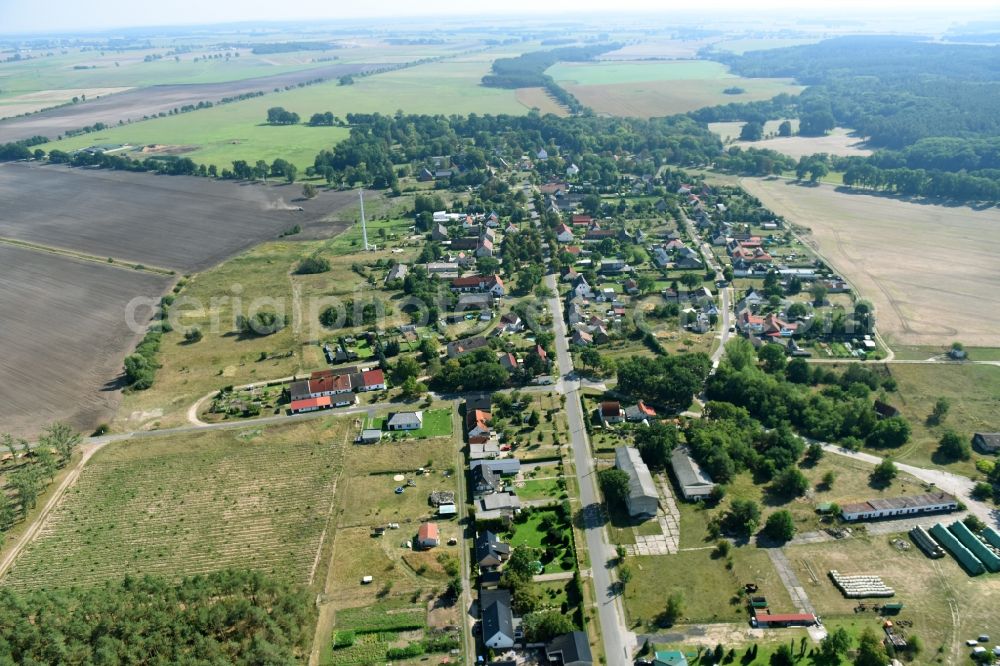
x=647, y=89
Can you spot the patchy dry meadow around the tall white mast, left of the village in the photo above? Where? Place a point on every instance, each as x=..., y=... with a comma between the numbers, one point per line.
x=190, y=371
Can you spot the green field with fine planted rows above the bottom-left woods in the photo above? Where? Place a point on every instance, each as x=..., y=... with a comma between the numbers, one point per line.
x=257, y=497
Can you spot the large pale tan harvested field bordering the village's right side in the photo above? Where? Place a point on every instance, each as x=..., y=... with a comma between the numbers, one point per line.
x=930, y=270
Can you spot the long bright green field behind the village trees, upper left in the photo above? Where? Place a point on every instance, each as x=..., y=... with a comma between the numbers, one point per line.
x=236, y=131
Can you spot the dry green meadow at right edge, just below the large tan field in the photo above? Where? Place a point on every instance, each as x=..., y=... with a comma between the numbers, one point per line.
x=974, y=394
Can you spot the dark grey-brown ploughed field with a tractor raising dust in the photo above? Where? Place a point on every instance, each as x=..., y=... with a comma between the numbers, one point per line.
x=177, y=222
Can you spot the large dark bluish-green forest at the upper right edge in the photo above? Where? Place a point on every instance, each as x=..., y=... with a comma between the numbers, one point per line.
x=929, y=108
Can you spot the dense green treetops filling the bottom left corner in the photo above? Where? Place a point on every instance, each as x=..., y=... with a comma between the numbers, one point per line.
x=232, y=617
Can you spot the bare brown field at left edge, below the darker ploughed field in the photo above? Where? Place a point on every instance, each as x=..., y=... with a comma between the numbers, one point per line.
x=63, y=337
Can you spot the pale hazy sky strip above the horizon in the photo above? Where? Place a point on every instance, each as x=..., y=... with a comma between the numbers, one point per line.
x=68, y=15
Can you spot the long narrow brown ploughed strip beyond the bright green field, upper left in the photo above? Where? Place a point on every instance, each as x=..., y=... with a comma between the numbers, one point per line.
x=135, y=104
